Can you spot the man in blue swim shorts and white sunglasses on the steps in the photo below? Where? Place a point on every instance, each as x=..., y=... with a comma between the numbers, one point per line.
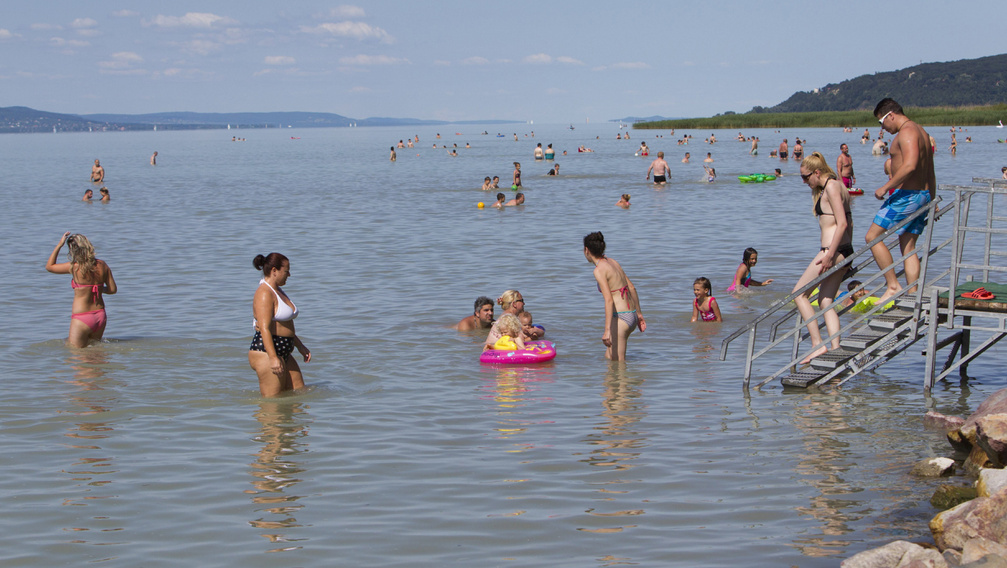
x=913, y=187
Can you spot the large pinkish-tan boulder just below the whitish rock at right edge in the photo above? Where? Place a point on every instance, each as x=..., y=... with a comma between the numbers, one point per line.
x=980, y=518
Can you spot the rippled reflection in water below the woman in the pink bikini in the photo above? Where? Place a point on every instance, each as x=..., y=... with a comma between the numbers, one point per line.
x=93, y=473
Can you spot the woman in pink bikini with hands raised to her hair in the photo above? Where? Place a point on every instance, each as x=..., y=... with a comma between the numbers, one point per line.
x=90, y=278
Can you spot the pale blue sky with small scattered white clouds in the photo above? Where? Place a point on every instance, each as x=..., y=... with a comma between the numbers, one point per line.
x=550, y=62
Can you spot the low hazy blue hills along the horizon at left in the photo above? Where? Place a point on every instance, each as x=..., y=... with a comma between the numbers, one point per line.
x=24, y=119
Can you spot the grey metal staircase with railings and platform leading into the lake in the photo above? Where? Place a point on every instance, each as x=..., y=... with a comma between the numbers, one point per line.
x=869, y=341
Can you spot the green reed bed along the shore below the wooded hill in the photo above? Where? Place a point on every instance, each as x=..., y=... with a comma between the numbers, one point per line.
x=928, y=116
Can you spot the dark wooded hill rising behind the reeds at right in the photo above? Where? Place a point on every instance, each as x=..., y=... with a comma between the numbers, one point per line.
x=953, y=84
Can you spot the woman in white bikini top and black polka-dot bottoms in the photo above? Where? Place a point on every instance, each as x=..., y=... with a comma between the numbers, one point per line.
x=274, y=340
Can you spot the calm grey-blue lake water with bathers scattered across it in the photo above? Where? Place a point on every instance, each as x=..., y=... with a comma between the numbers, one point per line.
x=155, y=449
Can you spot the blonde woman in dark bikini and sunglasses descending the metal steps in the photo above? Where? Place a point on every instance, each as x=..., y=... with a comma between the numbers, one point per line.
x=832, y=208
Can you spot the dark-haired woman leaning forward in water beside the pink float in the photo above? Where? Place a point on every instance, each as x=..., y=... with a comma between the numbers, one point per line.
x=623, y=312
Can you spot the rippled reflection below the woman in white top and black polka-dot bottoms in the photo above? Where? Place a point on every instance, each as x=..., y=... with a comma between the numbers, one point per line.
x=277, y=470
